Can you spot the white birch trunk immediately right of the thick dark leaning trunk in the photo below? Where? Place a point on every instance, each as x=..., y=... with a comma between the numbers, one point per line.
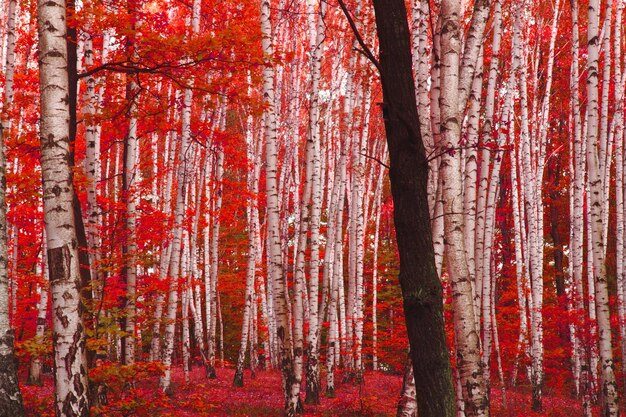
x=467, y=342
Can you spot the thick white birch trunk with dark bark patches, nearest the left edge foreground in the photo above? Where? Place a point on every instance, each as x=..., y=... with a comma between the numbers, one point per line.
x=68, y=331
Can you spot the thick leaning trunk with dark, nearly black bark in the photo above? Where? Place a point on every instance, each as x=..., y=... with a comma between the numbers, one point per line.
x=421, y=288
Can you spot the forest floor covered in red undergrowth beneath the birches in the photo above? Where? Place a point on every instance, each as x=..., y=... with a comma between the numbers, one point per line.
x=202, y=397
